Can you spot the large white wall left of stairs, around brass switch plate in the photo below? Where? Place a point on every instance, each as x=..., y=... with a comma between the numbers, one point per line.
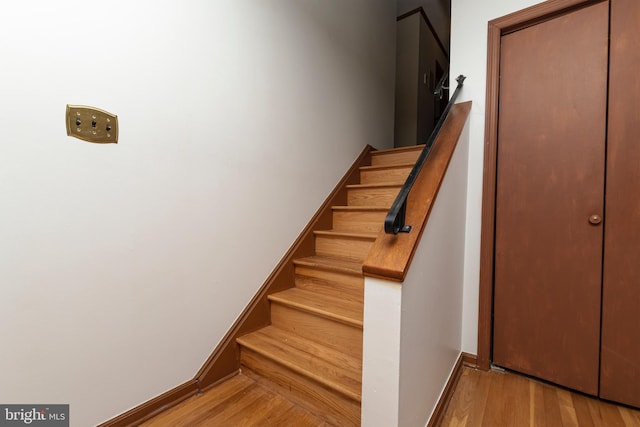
x=122, y=266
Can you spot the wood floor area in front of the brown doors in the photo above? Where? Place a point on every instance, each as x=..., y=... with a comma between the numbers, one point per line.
x=503, y=399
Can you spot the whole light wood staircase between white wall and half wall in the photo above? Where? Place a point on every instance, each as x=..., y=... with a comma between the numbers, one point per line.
x=311, y=353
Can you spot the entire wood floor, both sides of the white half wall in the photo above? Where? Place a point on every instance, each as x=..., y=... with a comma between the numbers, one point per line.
x=481, y=399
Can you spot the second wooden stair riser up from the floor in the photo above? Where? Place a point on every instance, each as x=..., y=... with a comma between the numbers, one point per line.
x=328, y=332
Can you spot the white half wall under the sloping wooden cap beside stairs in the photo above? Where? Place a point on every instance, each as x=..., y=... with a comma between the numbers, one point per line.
x=412, y=331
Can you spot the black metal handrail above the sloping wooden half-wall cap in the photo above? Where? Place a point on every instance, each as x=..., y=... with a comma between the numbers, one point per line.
x=394, y=222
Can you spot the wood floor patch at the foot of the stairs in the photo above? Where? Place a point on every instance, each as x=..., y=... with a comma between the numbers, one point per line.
x=237, y=402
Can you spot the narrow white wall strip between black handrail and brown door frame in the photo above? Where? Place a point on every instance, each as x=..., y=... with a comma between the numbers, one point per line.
x=469, y=20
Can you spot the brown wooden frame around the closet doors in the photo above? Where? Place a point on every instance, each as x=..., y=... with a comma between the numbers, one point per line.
x=497, y=28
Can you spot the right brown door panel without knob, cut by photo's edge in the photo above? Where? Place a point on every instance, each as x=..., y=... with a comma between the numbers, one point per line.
x=620, y=365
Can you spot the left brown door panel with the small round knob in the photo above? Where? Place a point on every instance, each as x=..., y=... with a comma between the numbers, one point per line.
x=550, y=180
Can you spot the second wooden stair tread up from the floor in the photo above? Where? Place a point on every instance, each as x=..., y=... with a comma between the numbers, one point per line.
x=342, y=310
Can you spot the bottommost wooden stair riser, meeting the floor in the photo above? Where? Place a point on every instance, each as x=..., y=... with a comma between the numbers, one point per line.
x=314, y=397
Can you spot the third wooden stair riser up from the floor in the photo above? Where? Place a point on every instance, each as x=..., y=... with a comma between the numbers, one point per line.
x=330, y=283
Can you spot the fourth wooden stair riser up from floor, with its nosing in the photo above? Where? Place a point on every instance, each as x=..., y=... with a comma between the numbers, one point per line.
x=344, y=244
